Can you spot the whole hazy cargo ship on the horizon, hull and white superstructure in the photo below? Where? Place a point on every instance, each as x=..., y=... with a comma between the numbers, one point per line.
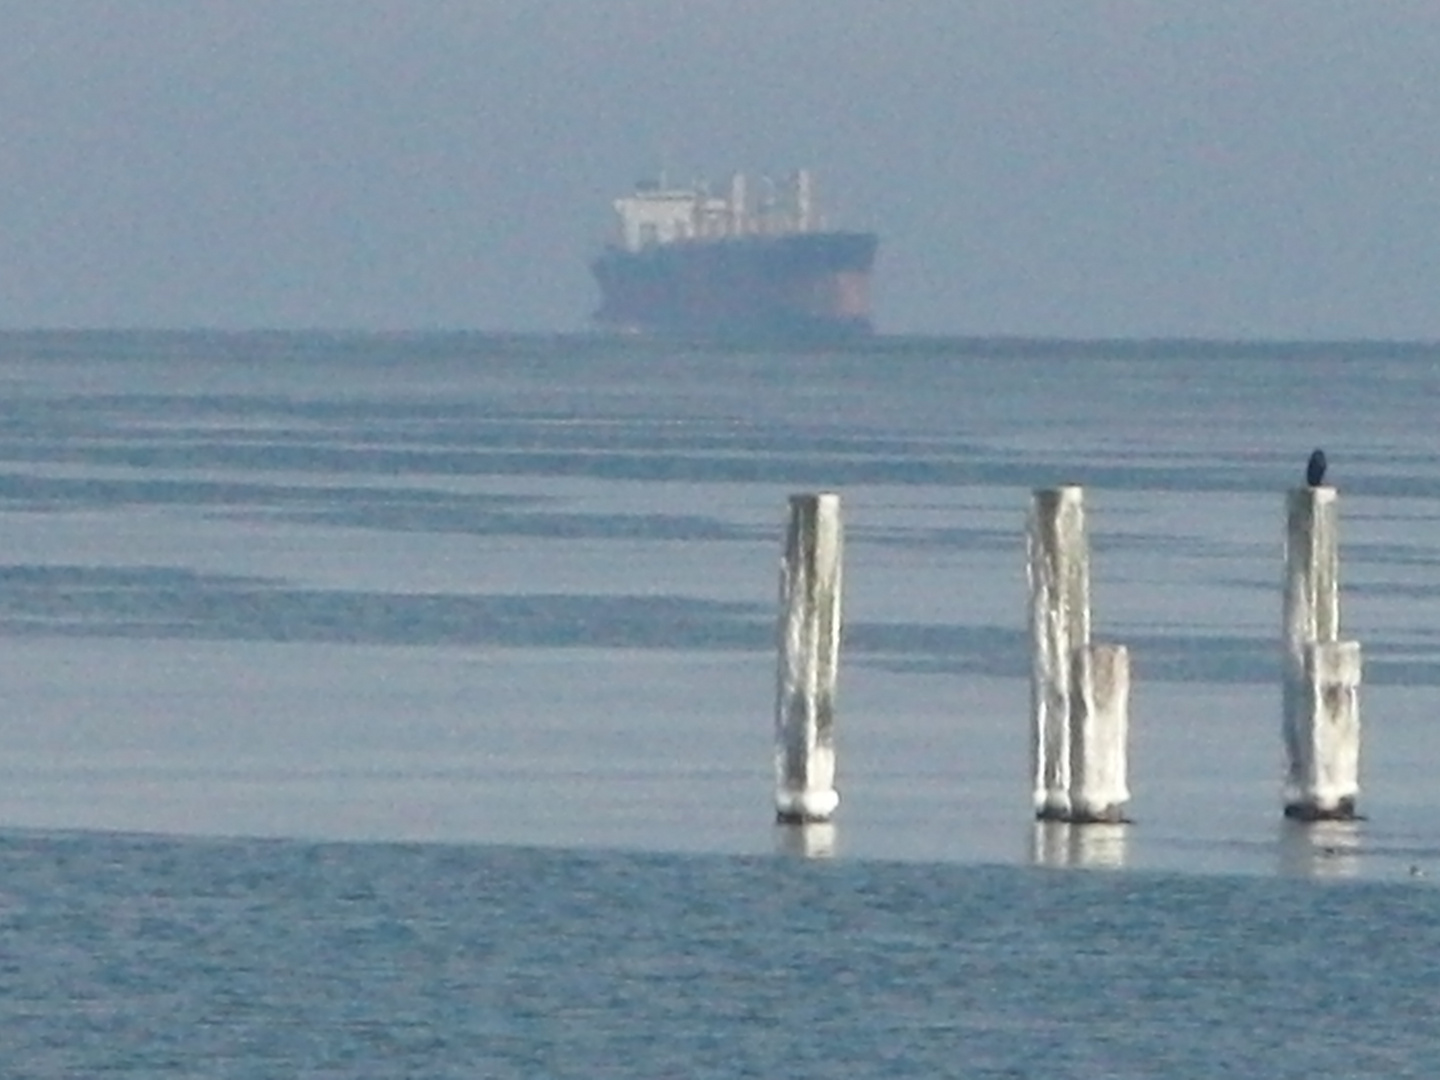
x=748, y=264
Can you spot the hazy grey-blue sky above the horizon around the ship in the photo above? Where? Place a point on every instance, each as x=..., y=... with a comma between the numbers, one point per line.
x=1053, y=168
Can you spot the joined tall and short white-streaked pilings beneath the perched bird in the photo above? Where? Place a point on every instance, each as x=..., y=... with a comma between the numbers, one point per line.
x=1321, y=675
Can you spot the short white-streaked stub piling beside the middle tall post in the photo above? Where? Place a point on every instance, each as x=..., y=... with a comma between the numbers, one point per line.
x=1099, y=729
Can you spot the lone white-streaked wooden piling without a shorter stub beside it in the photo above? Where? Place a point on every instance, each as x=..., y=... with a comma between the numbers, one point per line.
x=809, y=662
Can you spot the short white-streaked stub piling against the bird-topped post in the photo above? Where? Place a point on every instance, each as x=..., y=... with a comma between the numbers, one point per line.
x=1326, y=775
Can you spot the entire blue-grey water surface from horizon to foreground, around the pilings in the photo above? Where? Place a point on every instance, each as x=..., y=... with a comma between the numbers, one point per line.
x=401, y=706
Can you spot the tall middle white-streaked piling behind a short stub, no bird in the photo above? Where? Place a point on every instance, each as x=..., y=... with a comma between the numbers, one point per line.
x=1059, y=571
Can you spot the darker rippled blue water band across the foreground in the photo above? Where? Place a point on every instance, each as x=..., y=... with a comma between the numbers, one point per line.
x=155, y=958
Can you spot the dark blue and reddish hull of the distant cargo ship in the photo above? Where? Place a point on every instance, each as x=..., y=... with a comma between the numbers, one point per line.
x=798, y=286
